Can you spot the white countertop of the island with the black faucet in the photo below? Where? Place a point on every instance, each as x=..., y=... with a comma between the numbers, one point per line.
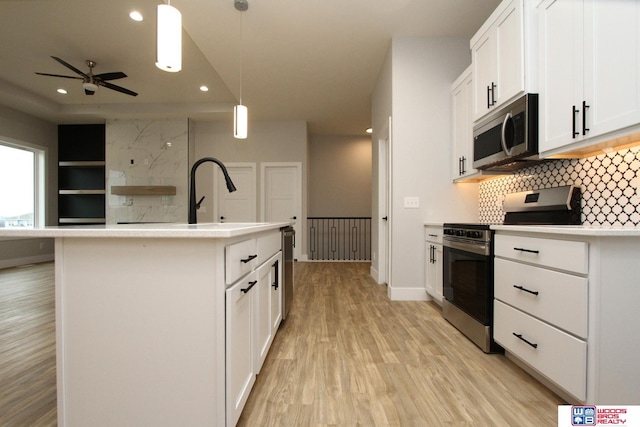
x=159, y=230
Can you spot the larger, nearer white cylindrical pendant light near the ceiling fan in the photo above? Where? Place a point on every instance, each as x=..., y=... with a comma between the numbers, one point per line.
x=169, y=47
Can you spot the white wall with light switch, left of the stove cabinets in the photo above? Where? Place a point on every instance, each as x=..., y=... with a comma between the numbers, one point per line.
x=422, y=70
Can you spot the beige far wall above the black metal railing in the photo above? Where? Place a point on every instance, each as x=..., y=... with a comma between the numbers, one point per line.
x=339, y=176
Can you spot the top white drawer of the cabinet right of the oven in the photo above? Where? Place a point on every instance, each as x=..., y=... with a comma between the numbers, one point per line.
x=561, y=254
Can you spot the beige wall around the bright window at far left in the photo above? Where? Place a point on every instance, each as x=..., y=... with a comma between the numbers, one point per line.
x=20, y=127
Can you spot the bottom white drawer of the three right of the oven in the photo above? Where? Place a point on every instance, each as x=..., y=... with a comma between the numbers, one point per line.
x=558, y=356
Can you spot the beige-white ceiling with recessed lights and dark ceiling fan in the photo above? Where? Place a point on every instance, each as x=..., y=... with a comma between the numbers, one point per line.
x=311, y=60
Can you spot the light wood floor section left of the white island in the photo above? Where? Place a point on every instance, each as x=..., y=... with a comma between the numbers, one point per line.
x=27, y=346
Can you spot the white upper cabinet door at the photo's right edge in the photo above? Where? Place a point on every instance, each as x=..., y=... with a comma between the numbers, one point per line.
x=612, y=65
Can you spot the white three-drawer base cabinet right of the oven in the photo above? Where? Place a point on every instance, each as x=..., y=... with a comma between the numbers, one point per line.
x=565, y=309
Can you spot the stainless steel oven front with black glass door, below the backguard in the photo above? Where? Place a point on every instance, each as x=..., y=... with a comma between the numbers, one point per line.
x=468, y=282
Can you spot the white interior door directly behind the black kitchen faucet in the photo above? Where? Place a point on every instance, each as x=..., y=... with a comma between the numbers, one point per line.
x=239, y=206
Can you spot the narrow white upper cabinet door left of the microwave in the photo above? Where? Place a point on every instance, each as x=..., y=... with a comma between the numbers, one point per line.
x=462, y=121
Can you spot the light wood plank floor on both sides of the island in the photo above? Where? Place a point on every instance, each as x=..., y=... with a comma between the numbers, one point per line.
x=345, y=356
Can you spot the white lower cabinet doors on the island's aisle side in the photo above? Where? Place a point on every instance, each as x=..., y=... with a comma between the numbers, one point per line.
x=253, y=315
